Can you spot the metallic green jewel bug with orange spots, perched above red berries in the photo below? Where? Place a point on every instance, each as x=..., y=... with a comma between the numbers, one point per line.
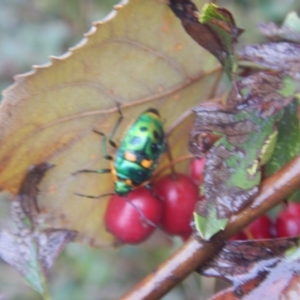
x=137, y=156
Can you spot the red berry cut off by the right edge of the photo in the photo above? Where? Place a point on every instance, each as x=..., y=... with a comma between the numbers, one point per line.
x=288, y=221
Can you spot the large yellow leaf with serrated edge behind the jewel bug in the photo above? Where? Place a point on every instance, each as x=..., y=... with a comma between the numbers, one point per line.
x=139, y=57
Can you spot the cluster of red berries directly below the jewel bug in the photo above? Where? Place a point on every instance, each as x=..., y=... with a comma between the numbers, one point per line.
x=169, y=205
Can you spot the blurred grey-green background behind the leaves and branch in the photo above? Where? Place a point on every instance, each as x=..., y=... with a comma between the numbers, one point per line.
x=31, y=31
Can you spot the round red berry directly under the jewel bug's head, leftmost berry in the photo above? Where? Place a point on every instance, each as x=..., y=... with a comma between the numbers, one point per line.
x=132, y=218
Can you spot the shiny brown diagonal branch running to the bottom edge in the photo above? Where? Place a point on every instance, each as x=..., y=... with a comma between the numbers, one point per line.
x=196, y=252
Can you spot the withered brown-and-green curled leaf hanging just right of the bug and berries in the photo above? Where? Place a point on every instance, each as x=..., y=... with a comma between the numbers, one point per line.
x=232, y=170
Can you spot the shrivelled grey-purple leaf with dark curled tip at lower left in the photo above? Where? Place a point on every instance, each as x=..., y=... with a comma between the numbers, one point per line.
x=30, y=249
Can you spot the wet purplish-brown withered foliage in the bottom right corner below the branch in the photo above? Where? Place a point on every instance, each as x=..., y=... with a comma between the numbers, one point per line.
x=258, y=269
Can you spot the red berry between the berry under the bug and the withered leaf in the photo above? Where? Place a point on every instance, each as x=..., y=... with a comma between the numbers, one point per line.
x=179, y=195
